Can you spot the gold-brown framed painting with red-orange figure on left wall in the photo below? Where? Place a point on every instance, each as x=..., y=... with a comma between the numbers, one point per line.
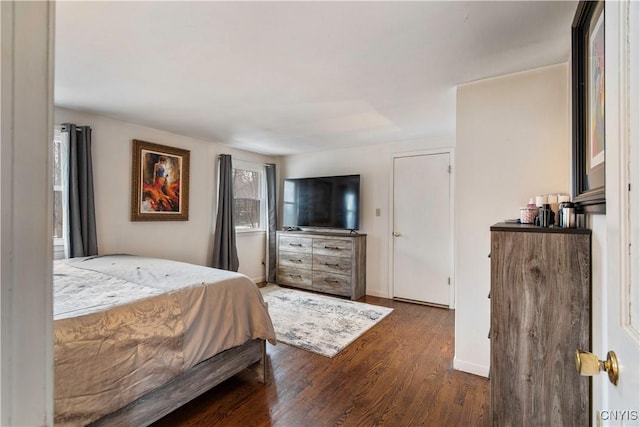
x=159, y=183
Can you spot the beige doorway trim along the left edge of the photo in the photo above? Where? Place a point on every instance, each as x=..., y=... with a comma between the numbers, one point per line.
x=26, y=227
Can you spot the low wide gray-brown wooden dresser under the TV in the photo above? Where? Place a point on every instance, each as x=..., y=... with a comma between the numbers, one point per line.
x=334, y=263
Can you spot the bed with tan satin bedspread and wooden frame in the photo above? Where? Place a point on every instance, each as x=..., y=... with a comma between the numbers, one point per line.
x=136, y=337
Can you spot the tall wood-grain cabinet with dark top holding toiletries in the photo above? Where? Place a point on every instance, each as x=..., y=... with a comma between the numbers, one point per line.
x=540, y=314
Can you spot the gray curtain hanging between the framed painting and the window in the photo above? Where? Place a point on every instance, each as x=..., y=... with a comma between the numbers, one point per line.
x=225, y=253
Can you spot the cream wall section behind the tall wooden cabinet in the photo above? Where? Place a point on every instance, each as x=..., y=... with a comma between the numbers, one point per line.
x=513, y=142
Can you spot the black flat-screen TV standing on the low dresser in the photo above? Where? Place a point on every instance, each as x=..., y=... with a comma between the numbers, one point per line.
x=330, y=202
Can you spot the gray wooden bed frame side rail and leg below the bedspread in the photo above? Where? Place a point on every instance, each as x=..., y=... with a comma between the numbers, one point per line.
x=189, y=385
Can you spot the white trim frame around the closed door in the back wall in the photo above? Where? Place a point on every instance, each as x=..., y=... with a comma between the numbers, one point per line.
x=452, y=246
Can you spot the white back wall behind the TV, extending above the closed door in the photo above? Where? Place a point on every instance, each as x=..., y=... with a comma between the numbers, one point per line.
x=374, y=164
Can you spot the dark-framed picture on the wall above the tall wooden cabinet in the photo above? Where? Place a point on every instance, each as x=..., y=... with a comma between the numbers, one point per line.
x=588, y=96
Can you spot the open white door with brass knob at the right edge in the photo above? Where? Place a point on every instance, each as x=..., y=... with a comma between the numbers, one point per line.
x=620, y=404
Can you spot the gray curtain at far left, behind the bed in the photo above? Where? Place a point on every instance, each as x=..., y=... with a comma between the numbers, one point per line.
x=82, y=213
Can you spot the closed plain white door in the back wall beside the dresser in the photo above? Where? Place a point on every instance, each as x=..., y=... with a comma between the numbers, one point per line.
x=421, y=228
